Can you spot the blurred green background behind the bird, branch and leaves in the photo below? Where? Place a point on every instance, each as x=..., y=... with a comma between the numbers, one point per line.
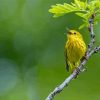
x=32, y=59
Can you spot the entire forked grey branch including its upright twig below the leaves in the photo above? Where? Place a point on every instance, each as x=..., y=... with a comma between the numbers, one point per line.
x=81, y=67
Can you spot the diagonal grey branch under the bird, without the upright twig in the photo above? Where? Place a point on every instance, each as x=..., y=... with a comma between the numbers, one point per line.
x=73, y=75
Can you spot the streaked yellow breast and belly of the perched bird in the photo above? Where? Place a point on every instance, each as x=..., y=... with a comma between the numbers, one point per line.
x=76, y=48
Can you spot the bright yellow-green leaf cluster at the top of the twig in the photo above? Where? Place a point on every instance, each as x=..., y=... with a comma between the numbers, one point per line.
x=84, y=9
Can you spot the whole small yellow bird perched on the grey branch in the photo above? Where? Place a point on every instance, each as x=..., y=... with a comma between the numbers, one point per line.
x=75, y=49
